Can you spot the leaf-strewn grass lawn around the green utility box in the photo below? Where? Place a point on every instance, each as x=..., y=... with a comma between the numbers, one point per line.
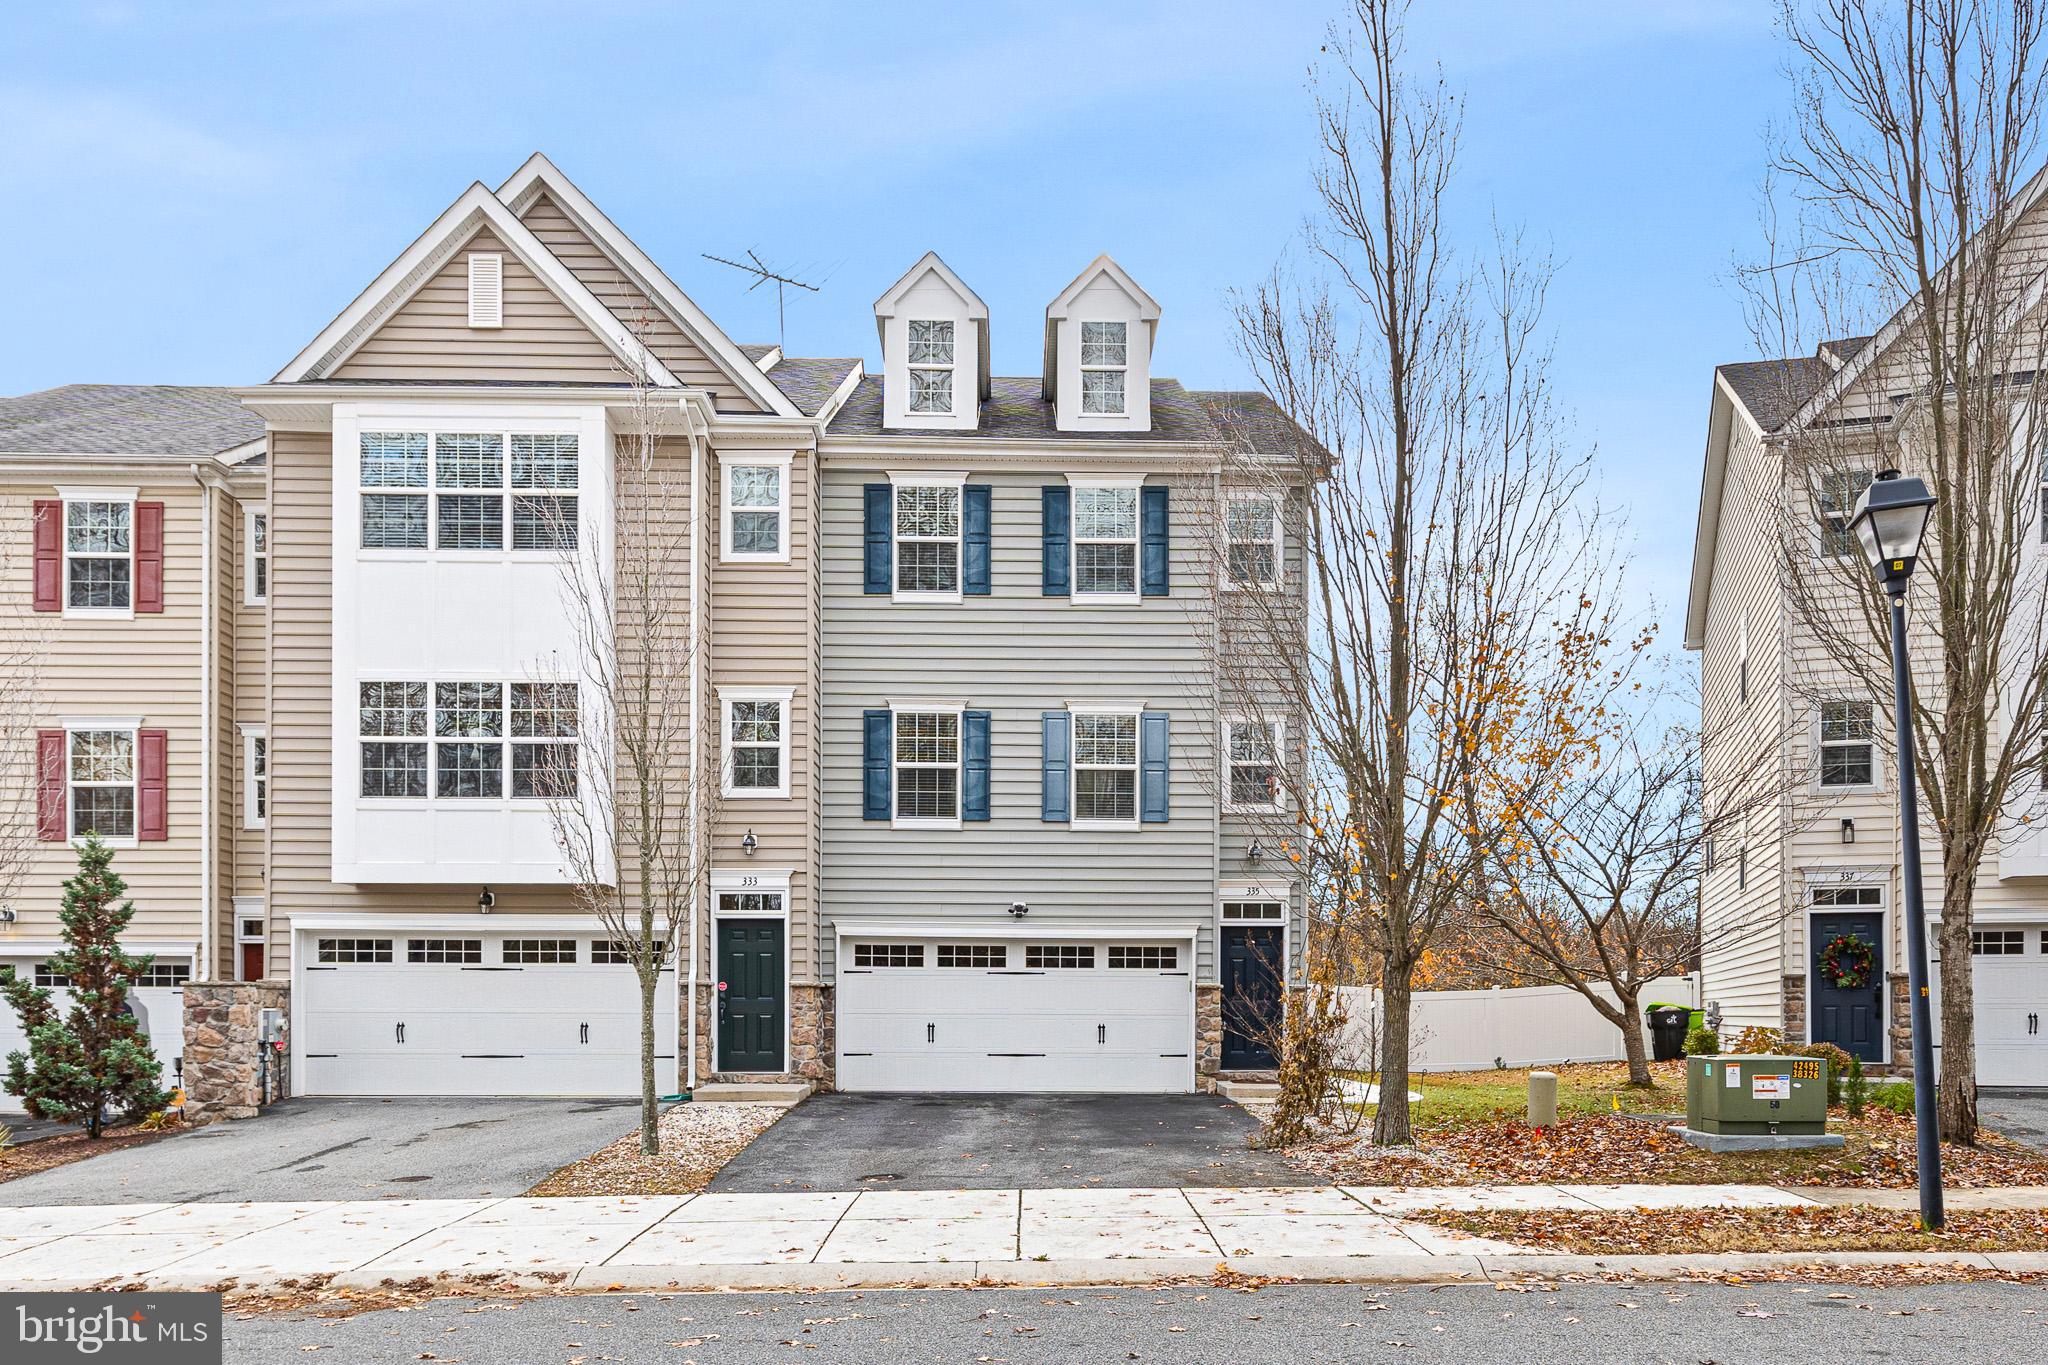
x=1471, y=1133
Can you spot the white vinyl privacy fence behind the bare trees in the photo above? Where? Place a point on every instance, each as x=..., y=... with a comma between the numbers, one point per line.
x=1527, y=1026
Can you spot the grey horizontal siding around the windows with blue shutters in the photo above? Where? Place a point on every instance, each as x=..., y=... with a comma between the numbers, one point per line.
x=1019, y=654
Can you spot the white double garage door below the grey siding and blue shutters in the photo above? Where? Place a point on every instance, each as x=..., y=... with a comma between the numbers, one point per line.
x=1017, y=1016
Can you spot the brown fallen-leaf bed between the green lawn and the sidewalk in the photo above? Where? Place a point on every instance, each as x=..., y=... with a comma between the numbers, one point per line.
x=1619, y=1149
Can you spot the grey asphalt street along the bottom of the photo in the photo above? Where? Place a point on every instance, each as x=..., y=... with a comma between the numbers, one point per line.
x=1480, y=1325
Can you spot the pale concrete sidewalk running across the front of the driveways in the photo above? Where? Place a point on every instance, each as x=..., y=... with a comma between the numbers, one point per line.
x=820, y=1241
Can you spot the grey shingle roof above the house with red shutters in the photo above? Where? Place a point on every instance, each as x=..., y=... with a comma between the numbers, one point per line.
x=163, y=421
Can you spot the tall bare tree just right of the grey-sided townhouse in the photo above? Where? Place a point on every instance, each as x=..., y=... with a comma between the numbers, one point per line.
x=1453, y=592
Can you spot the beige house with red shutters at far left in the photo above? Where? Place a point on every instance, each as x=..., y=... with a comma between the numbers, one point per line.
x=136, y=578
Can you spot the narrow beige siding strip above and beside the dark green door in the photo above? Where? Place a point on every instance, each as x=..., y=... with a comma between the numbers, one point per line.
x=763, y=627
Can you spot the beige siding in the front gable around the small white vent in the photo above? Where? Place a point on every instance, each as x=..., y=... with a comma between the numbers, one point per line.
x=429, y=337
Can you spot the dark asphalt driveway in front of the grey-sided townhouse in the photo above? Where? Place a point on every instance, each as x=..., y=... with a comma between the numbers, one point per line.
x=1007, y=1143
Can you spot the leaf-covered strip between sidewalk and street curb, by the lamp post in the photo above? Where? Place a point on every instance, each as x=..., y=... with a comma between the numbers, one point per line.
x=1721, y=1231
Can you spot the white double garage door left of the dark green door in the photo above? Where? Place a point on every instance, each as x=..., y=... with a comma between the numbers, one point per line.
x=507, y=1014
